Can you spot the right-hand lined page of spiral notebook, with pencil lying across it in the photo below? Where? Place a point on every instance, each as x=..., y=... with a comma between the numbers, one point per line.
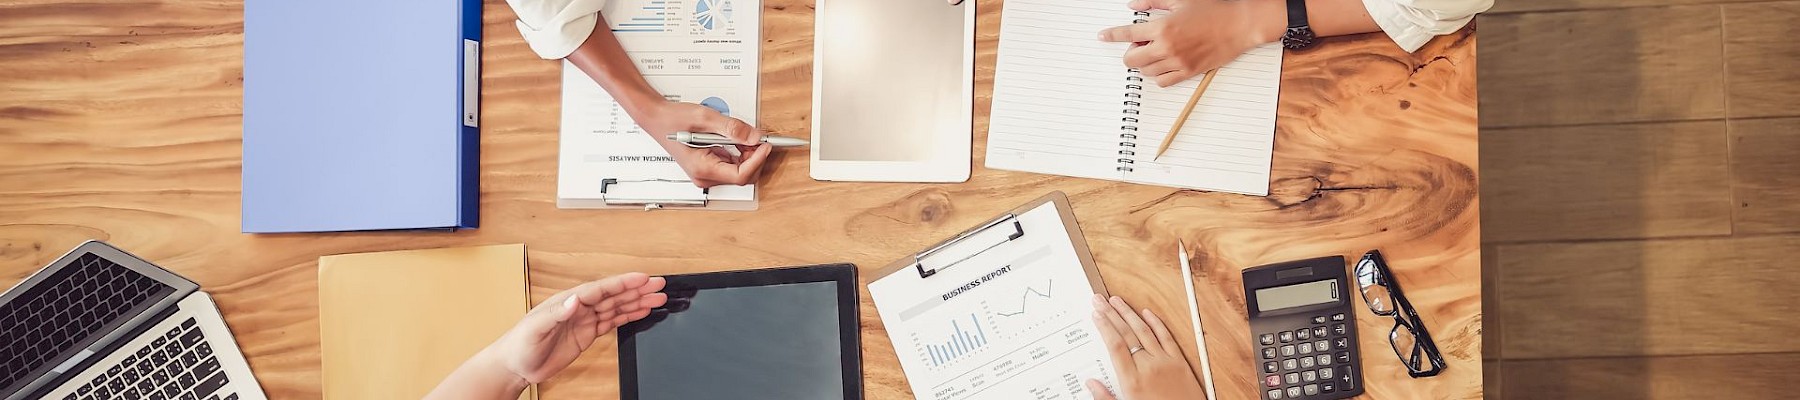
x=1228, y=140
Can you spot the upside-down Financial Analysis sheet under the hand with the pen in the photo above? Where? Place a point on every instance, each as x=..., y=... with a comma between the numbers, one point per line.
x=692, y=51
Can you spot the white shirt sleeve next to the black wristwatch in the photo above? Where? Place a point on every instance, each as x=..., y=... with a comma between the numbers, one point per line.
x=1416, y=23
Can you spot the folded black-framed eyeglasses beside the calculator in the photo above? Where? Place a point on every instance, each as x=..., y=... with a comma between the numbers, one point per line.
x=1408, y=338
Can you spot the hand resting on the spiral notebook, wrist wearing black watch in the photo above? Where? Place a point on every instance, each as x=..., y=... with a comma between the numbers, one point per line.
x=1198, y=37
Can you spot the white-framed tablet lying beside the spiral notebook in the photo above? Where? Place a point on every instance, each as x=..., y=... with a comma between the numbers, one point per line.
x=894, y=91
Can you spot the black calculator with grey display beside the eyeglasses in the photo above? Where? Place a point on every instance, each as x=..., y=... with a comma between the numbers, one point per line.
x=1304, y=331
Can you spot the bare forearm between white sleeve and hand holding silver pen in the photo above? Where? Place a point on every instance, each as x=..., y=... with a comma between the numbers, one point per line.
x=604, y=60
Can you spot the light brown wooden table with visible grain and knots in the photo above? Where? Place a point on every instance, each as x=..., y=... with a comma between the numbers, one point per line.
x=121, y=122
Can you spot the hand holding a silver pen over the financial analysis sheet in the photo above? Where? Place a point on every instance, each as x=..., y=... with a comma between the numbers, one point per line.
x=708, y=167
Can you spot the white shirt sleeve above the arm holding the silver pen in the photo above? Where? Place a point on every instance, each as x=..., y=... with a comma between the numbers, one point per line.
x=557, y=28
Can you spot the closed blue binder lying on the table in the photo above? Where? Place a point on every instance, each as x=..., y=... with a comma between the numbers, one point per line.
x=361, y=116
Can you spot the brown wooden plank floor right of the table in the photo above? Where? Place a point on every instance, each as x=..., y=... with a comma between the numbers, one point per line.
x=1642, y=188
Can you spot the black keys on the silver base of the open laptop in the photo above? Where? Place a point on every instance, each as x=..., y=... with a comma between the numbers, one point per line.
x=175, y=367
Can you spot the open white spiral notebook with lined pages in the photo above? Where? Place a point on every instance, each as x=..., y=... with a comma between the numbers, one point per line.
x=1066, y=105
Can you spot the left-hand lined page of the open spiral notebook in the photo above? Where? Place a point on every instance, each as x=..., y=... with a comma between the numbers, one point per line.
x=1057, y=89
